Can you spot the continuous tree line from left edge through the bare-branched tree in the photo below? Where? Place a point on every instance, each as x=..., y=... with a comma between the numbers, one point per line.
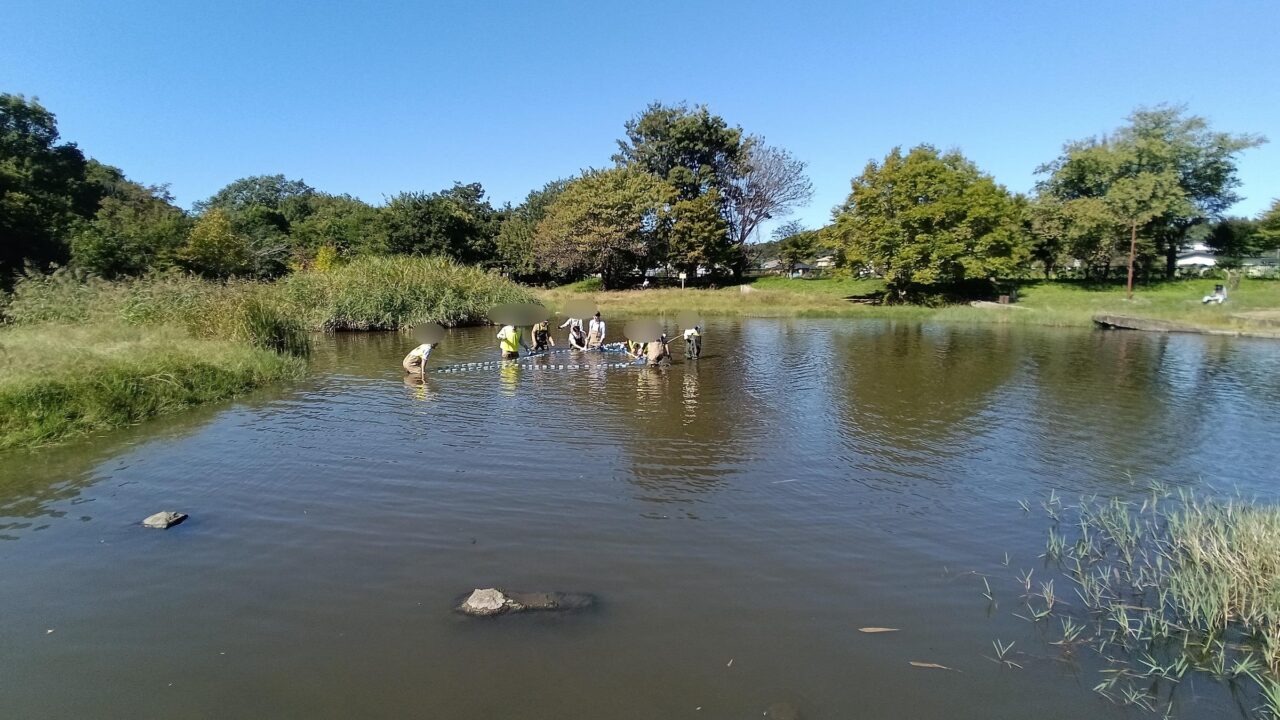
x=687, y=190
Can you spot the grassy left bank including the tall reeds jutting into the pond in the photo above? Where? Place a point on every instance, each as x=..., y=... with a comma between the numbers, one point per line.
x=80, y=356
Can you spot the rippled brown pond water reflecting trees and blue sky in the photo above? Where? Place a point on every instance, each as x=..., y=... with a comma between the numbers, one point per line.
x=739, y=518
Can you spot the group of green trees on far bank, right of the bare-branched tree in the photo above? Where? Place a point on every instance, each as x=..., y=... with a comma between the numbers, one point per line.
x=927, y=220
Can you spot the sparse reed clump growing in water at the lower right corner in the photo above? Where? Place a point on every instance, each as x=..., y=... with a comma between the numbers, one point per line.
x=1169, y=586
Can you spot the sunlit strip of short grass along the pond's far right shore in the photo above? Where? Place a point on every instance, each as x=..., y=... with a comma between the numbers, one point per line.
x=1040, y=303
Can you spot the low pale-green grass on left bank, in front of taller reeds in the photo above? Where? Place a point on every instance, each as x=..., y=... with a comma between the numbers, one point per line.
x=67, y=380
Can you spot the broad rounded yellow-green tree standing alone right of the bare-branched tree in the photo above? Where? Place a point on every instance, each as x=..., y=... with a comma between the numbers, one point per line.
x=930, y=220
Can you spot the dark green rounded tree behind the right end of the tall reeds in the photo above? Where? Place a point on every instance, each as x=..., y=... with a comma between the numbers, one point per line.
x=458, y=222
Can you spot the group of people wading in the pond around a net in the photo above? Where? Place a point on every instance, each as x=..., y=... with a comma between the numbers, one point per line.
x=511, y=340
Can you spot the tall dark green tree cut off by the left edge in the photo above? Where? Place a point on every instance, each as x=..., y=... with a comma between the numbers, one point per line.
x=44, y=193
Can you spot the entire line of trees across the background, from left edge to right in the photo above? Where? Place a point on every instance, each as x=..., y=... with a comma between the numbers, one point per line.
x=685, y=192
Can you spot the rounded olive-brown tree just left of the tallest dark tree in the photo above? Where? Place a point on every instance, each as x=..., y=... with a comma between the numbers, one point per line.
x=609, y=222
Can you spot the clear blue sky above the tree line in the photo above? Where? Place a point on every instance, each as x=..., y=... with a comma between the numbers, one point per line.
x=377, y=98
